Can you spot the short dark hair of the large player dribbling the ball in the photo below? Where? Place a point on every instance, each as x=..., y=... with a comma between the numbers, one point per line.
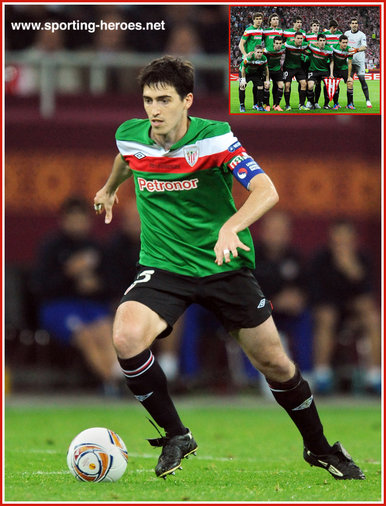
x=169, y=70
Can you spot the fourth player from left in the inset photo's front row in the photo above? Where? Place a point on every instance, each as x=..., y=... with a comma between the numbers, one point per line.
x=321, y=63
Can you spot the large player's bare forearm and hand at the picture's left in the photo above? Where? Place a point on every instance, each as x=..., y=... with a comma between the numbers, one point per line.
x=106, y=197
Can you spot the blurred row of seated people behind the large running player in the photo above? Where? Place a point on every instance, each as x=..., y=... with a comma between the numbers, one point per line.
x=324, y=306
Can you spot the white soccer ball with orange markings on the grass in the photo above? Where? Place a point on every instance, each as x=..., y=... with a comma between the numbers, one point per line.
x=97, y=454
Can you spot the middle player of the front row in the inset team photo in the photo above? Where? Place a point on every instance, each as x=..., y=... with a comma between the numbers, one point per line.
x=293, y=67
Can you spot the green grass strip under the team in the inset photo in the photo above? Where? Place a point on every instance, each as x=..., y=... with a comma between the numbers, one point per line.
x=359, y=100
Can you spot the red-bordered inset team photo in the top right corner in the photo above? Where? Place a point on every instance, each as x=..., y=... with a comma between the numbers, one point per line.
x=307, y=60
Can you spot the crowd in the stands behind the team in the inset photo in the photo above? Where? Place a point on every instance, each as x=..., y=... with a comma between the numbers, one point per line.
x=369, y=24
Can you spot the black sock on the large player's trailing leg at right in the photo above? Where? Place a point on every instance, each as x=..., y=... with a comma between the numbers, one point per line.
x=296, y=398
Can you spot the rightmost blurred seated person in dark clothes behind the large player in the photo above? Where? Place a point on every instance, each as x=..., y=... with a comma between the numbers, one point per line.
x=343, y=299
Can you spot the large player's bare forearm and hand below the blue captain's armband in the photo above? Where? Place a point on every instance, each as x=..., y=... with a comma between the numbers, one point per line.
x=263, y=196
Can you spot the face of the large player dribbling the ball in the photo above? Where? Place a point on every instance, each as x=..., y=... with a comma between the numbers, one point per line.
x=166, y=110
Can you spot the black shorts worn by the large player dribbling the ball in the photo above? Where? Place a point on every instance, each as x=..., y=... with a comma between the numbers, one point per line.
x=234, y=297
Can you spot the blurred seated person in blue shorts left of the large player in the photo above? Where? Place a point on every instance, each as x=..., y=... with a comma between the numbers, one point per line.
x=72, y=295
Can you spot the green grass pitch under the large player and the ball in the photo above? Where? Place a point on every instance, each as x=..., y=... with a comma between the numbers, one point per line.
x=248, y=451
